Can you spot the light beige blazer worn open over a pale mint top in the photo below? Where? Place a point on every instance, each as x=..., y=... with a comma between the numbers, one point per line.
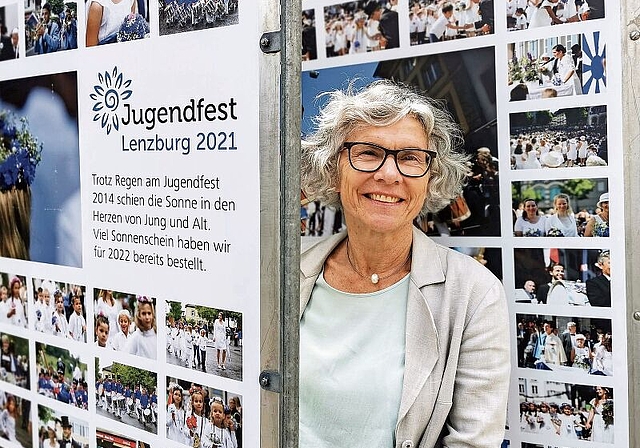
x=457, y=361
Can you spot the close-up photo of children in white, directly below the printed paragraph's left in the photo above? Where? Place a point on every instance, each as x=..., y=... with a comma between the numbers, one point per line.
x=125, y=322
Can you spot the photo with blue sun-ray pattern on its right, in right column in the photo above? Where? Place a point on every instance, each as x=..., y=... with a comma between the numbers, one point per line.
x=557, y=67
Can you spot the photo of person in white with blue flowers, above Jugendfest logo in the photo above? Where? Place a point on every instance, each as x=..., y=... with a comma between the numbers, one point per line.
x=109, y=22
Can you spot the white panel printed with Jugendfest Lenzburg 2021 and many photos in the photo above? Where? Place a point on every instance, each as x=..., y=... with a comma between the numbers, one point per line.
x=130, y=220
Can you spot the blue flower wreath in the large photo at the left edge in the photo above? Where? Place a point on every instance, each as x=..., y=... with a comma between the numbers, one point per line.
x=20, y=153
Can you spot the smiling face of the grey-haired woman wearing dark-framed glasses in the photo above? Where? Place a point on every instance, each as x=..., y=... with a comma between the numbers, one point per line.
x=385, y=200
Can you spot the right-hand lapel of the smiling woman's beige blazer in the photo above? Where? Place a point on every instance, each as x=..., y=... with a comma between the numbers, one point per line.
x=422, y=347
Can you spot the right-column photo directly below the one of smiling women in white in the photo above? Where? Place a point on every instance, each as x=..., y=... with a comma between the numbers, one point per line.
x=576, y=277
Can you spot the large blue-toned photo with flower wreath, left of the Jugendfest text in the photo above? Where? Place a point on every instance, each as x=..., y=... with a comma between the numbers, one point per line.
x=39, y=148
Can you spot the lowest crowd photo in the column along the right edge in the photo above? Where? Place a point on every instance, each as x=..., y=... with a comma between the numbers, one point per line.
x=566, y=411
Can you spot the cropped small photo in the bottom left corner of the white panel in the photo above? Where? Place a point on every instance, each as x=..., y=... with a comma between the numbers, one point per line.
x=15, y=420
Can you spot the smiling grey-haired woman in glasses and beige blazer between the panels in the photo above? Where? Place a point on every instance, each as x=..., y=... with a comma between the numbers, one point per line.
x=430, y=359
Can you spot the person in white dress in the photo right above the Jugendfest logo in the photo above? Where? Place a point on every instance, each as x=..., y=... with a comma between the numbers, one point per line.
x=104, y=18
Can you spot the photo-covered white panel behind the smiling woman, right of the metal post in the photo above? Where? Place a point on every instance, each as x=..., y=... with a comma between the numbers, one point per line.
x=527, y=84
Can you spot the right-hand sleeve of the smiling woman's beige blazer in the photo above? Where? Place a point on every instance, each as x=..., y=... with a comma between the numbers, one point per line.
x=478, y=414
